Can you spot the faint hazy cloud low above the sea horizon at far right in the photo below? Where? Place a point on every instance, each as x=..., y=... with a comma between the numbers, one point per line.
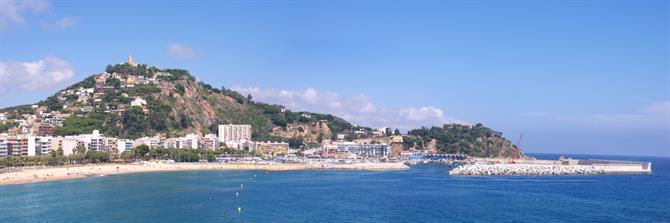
x=654, y=115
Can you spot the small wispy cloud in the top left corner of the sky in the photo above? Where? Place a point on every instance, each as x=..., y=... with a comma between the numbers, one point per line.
x=13, y=12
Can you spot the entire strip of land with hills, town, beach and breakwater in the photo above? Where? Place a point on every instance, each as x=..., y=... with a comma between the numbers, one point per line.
x=138, y=118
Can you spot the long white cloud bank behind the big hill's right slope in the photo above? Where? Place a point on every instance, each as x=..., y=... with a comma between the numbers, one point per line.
x=358, y=109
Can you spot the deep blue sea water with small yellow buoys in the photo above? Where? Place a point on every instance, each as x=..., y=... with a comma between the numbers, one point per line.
x=422, y=194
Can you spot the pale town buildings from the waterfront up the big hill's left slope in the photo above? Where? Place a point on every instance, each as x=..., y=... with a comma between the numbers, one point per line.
x=40, y=130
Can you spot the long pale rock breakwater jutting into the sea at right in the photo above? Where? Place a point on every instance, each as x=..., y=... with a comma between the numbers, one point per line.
x=587, y=167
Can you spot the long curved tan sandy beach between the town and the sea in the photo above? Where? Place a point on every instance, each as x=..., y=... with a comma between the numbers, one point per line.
x=41, y=174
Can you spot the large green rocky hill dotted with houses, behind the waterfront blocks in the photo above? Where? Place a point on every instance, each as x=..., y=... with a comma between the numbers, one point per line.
x=131, y=101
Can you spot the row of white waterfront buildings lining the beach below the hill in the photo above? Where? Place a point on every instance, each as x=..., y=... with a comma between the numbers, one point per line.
x=41, y=142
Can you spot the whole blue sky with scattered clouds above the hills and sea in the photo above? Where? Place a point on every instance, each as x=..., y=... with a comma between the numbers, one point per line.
x=574, y=77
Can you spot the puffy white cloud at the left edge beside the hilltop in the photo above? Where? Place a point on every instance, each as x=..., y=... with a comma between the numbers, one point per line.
x=35, y=75
